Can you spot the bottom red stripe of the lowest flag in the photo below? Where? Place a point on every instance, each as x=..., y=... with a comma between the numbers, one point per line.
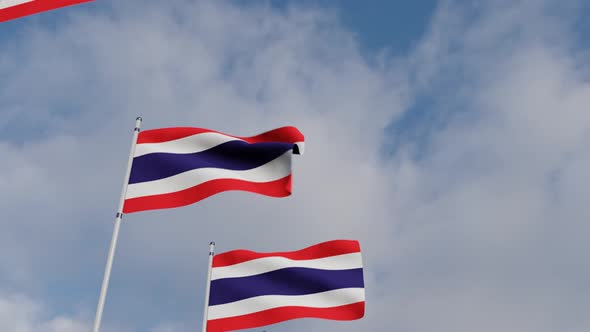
x=277, y=315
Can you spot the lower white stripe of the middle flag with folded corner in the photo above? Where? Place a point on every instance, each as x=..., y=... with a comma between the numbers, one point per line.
x=277, y=169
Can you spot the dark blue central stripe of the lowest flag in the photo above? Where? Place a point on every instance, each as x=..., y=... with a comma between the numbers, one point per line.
x=289, y=281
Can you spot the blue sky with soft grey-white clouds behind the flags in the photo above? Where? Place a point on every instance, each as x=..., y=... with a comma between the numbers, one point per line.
x=450, y=138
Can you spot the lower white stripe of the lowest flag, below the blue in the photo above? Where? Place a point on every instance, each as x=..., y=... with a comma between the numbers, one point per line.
x=333, y=298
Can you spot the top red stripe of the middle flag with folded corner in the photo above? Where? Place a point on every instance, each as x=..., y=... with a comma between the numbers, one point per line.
x=286, y=134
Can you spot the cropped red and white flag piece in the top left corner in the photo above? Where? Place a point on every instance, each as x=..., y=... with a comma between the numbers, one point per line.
x=13, y=9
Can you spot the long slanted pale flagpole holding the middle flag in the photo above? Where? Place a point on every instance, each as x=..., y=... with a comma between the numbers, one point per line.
x=118, y=217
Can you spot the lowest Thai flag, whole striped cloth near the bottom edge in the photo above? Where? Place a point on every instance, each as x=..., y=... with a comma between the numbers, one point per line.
x=250, y=289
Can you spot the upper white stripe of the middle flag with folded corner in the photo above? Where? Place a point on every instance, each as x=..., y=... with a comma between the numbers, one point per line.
x=190, y=144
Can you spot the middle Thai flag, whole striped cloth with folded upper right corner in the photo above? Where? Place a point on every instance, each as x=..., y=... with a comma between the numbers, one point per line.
x=174, y=167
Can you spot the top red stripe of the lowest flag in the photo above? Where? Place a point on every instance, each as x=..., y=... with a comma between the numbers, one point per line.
x=325, y=249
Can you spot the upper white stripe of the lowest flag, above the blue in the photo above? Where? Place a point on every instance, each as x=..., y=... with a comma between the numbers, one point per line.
x=267, y=264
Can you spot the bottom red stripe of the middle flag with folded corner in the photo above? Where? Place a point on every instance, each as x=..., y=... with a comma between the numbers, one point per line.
x=277, y=188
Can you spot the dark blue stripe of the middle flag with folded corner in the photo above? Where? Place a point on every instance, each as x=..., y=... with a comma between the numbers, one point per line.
x=233, y=155
